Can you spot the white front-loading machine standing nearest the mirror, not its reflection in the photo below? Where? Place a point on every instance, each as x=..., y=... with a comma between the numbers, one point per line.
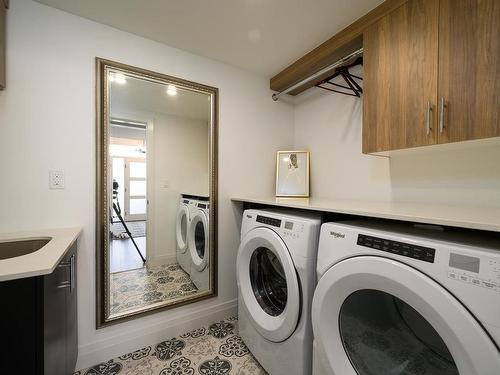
x=276, y=278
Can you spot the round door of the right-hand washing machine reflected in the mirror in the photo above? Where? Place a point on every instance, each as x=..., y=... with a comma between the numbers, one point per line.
x=198, y=240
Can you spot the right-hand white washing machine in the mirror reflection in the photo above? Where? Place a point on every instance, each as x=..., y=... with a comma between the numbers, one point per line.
x=198, y=243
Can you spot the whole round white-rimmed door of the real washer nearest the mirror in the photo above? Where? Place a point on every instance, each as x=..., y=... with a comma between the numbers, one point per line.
x=268, y=284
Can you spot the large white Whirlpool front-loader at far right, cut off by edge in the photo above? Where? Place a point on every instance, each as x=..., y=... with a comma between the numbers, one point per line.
x=402, y=300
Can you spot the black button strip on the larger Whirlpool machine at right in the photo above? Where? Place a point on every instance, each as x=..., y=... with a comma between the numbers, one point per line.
x=423, y=253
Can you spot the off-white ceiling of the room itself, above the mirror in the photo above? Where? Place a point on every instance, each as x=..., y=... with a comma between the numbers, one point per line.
x=262, y=36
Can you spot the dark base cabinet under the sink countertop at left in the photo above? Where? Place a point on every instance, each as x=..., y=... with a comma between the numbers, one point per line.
x=38, y=322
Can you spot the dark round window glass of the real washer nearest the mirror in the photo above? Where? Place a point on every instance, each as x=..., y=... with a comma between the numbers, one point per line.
x=268, y=281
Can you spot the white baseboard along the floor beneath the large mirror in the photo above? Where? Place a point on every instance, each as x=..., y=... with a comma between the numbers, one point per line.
x=100, y=351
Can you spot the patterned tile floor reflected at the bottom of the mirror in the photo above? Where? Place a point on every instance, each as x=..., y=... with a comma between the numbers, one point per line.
x=146, y=286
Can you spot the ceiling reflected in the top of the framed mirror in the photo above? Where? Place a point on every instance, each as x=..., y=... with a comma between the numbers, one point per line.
x=138, y=95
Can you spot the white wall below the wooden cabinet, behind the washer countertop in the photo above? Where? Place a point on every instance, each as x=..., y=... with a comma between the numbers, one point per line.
x=330, y=126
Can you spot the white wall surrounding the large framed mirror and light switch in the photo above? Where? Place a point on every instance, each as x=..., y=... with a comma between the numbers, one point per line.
x=47, y=121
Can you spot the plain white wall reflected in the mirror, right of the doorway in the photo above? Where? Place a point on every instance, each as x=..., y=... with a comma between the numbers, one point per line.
x=181, y=163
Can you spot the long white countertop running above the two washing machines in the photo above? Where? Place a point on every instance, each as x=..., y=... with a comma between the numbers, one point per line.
x=483, y=218
